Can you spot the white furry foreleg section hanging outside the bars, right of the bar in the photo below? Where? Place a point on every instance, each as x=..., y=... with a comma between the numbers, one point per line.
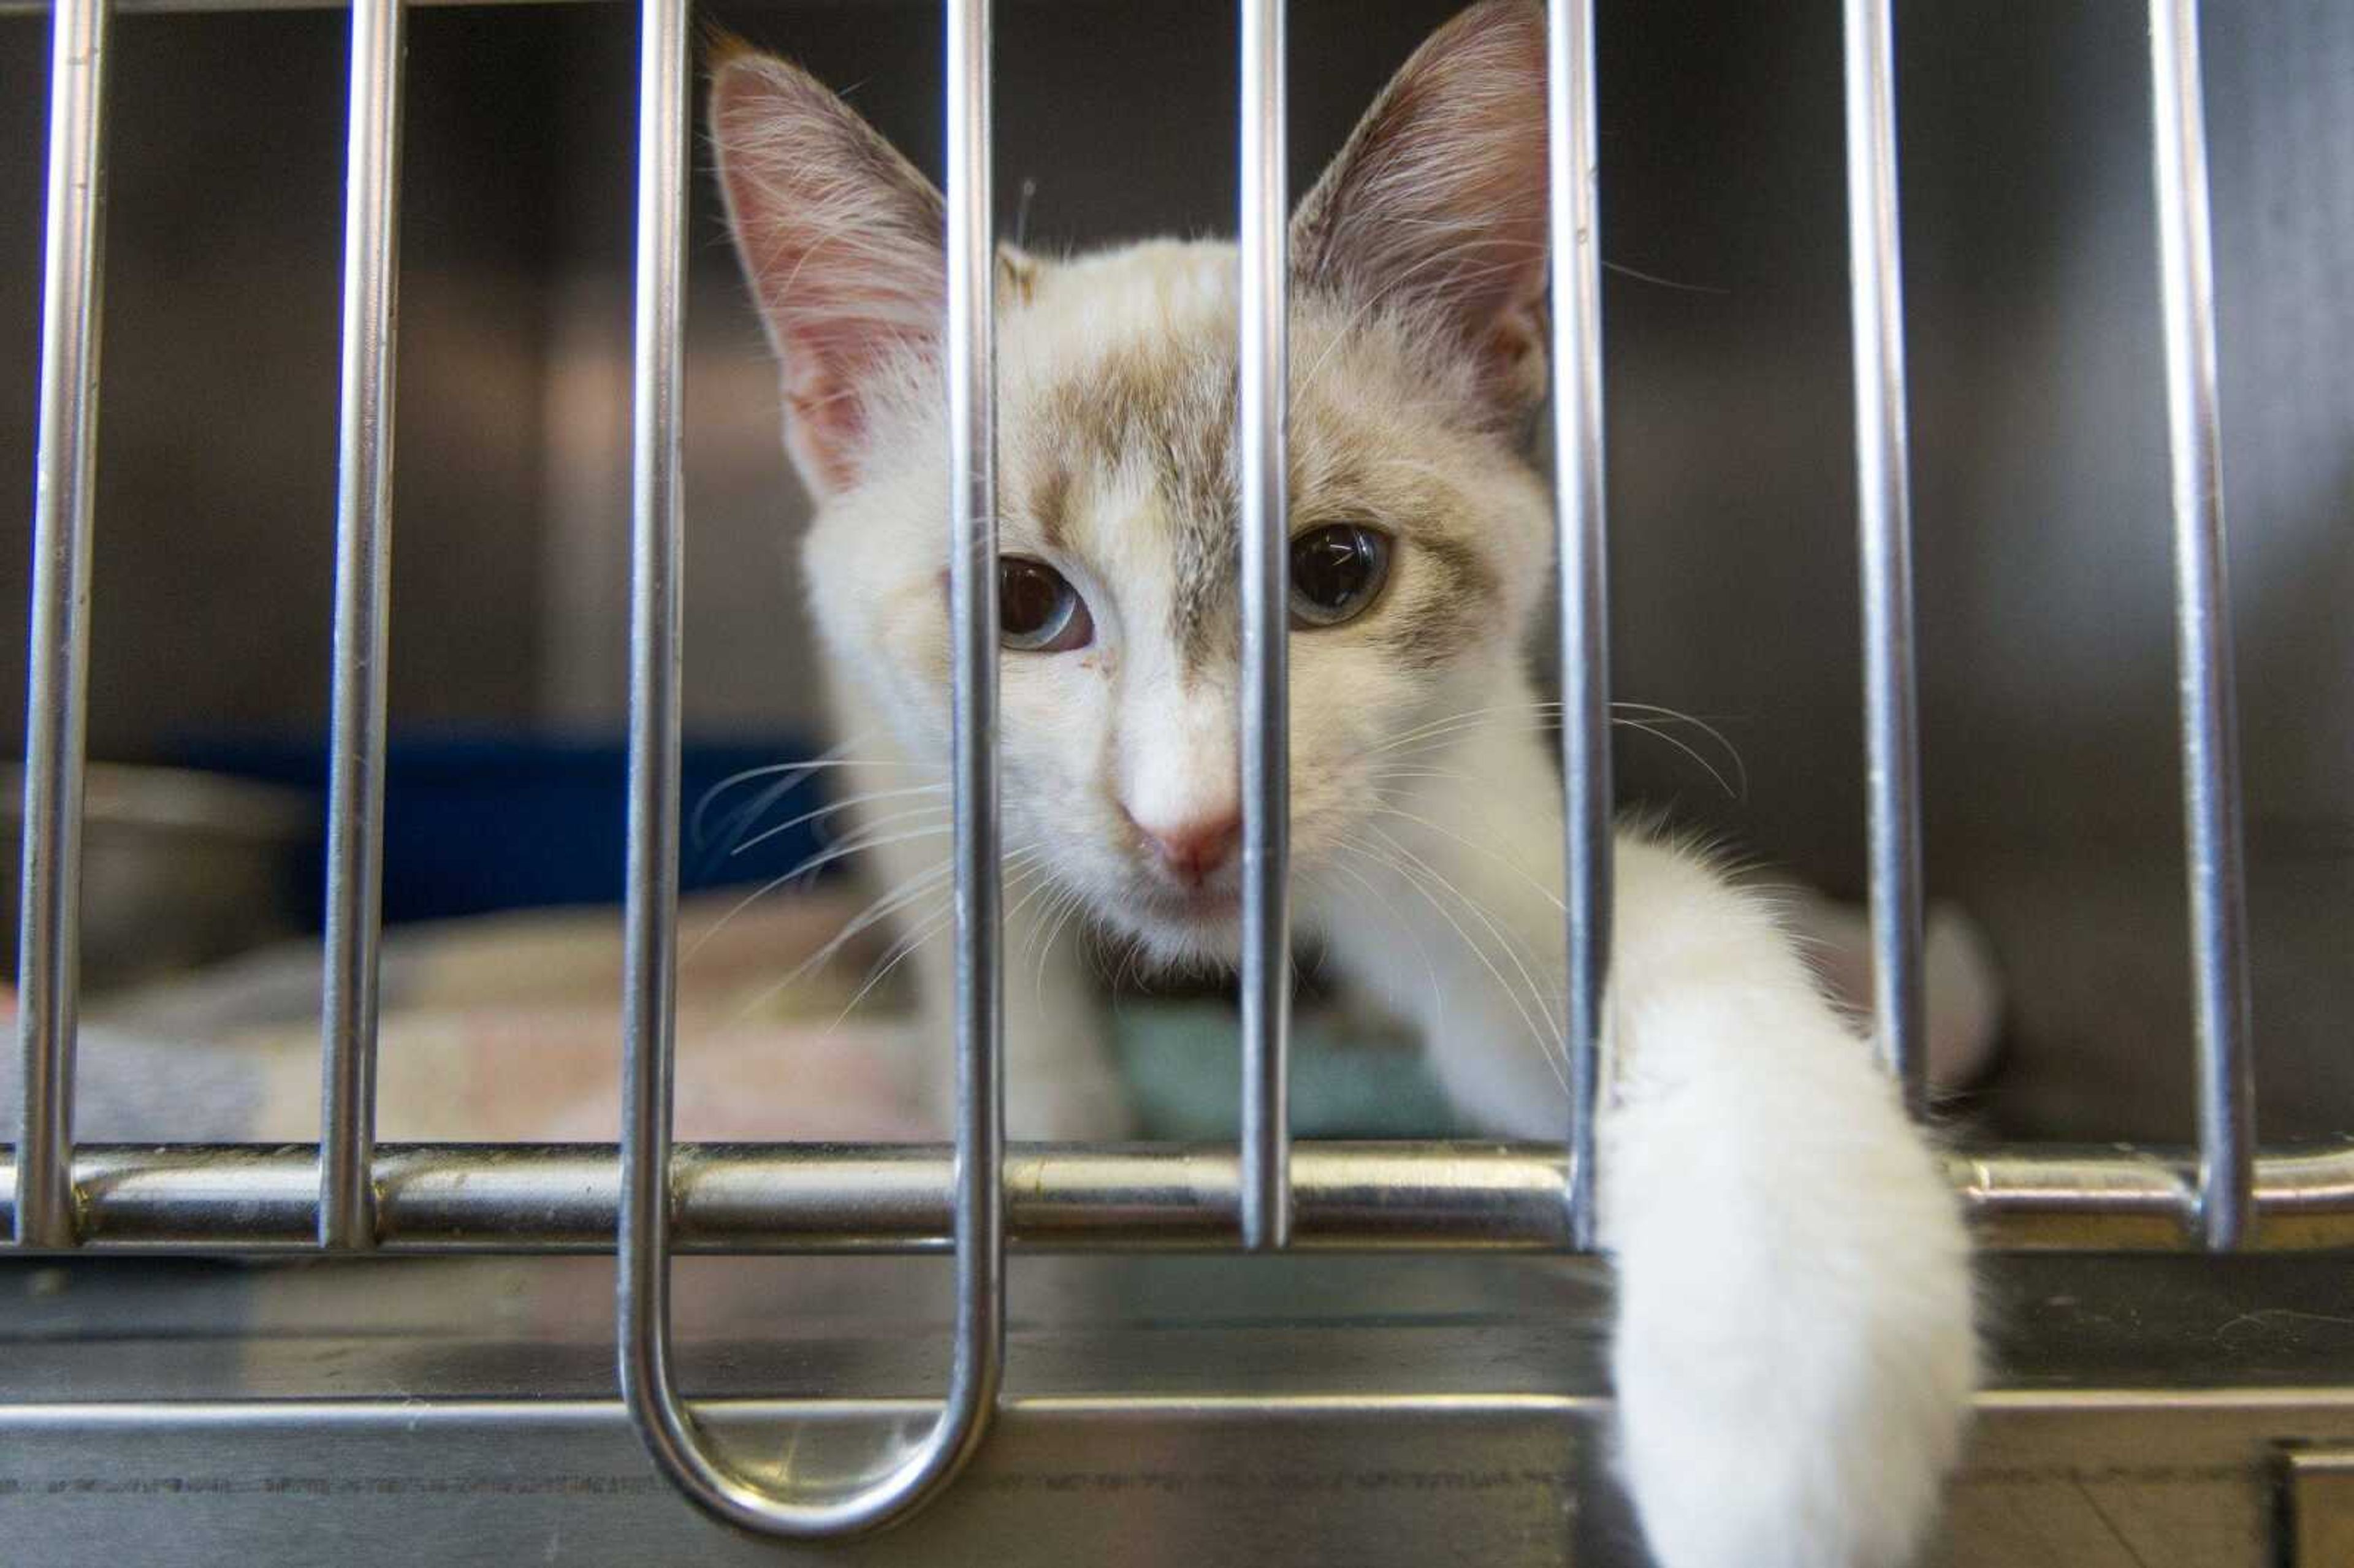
x=1795, y=1350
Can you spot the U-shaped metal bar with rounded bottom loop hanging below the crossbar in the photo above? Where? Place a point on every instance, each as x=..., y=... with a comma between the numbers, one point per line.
x=778, y=1503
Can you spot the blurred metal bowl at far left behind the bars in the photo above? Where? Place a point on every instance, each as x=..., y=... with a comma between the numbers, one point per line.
x=178, y=868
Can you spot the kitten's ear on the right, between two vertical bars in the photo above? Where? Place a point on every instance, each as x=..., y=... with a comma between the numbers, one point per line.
x=1437, y=204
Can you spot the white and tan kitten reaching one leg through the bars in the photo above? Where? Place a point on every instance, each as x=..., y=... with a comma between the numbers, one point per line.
x=1795, y=1346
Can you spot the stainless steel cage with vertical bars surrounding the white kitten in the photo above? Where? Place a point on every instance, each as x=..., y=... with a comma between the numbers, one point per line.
x=2023, y=413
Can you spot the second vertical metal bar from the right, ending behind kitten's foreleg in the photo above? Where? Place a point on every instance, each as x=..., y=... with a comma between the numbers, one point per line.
x=1884, y=526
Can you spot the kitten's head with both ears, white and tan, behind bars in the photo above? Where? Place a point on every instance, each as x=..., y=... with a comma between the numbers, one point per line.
x=1421, y=536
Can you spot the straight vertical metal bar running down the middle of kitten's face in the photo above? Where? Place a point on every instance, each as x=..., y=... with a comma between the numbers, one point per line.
x=1268, y=773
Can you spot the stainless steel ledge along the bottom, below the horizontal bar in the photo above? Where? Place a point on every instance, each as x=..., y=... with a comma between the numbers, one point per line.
x=1159, y=1411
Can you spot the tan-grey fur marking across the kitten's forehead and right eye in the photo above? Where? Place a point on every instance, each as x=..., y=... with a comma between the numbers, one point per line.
x=1126, y=432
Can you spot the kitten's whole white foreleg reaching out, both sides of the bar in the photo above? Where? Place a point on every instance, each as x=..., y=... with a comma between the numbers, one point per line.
x=1795, y=1350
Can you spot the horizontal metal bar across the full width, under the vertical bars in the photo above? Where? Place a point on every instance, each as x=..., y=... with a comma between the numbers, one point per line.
x=1390, y=1197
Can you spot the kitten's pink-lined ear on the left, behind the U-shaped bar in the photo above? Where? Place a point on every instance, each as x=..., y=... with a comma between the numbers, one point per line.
x=844, y=246
